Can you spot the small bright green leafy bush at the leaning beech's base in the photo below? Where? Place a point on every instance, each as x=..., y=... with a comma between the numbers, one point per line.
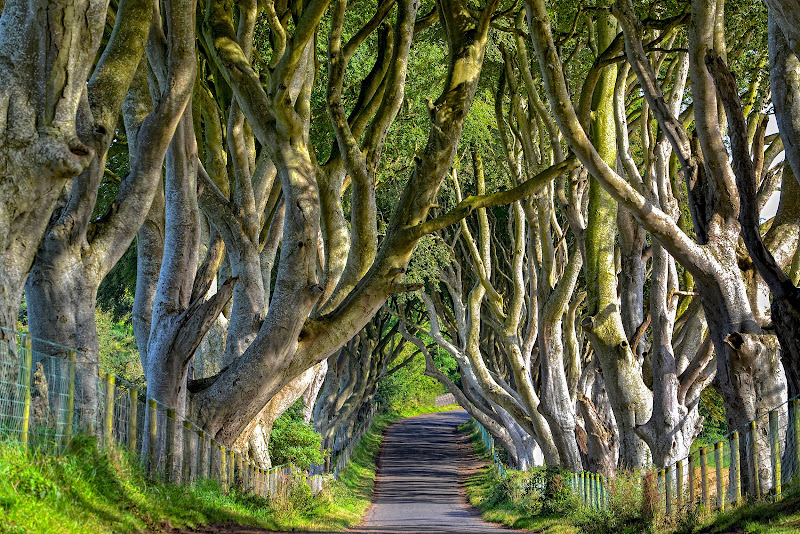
x=292, y=440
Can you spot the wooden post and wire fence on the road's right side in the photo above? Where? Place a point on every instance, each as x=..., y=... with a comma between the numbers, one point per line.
x=757, y=461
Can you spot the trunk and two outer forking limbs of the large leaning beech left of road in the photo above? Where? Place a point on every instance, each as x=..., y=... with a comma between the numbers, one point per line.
x=289, y=342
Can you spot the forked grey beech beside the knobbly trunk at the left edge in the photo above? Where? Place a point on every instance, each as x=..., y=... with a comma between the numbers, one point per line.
x=76, y=252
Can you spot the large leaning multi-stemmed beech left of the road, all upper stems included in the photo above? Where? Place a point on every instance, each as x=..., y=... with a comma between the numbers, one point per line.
x=291, y=338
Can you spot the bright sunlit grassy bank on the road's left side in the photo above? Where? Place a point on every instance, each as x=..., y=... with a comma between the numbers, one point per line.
x=88, y=490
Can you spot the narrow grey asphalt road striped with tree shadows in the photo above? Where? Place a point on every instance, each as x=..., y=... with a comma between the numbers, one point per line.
x=418, y=487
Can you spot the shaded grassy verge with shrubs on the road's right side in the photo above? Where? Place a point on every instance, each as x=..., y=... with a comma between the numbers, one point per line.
x=506, y=501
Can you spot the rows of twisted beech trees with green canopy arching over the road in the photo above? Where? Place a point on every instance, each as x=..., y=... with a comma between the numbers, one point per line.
x=584, y=217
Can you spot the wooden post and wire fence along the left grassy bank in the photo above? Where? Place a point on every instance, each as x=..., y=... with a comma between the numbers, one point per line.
x=46, y=399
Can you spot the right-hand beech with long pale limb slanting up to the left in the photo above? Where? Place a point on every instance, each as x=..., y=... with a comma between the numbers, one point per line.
x=711, y=260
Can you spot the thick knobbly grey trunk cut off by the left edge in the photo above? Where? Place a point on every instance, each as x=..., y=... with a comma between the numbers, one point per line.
x=47, y=51
